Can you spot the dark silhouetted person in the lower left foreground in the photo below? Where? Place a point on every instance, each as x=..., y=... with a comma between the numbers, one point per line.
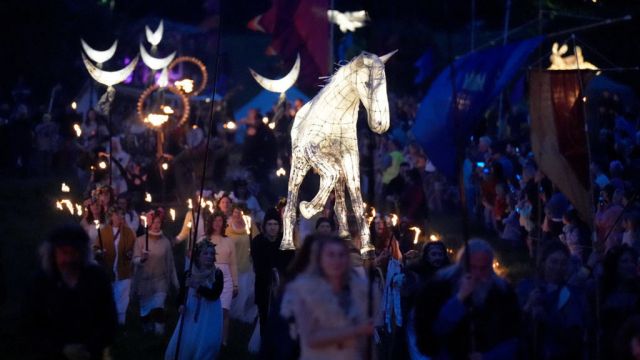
x=70, y=306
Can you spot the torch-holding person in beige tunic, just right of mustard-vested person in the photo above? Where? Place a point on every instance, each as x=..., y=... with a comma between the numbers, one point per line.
x=155, y=273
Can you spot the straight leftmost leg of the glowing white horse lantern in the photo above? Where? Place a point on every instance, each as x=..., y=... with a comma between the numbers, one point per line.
x=299, y=168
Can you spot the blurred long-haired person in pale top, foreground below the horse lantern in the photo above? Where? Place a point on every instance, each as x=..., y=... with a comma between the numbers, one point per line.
x=329, y=304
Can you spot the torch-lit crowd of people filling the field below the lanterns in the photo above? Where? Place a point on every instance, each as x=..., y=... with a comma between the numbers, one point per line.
x=326, y=299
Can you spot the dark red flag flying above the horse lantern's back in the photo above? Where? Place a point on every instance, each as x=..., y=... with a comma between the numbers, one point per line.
x=298, y=26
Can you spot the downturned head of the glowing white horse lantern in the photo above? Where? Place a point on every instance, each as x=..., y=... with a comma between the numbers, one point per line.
x=371, y=85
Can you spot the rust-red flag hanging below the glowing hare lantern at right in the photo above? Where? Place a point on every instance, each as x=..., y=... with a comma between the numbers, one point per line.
x=558, y=135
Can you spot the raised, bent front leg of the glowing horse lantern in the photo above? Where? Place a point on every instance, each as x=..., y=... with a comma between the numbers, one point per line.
x=329, y=174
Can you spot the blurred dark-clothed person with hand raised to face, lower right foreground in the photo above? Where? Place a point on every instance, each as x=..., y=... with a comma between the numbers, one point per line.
x=443, y=321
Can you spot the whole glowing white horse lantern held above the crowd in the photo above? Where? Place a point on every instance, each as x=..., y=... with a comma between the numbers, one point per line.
x=324, y=137
